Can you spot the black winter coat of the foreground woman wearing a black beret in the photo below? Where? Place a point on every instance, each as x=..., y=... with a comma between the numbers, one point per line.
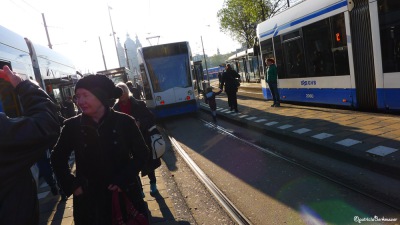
x=111, y=152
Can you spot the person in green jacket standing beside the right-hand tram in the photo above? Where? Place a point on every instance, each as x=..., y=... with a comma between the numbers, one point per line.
x=272, y=81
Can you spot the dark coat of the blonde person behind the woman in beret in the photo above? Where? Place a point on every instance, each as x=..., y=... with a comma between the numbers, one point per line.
x=146, y=119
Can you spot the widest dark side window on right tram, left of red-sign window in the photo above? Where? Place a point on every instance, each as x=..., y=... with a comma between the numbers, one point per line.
x=317, y=43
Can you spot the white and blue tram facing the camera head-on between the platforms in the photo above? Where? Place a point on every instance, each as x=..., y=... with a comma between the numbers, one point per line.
x=168, y=82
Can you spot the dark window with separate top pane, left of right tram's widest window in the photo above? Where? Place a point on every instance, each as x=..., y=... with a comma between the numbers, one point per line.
x=294, y=55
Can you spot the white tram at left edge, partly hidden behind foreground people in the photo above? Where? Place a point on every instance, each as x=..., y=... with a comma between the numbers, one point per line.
x=51, y=70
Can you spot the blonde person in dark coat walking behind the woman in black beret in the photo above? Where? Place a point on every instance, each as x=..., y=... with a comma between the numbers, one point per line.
x=145, y=120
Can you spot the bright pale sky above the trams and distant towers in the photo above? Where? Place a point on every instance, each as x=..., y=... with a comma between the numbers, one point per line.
x=75, y=26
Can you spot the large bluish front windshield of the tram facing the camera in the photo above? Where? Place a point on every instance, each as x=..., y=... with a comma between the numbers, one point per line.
x=169, y=72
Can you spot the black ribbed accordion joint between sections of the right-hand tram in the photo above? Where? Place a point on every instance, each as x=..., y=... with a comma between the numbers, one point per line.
x=360, y=25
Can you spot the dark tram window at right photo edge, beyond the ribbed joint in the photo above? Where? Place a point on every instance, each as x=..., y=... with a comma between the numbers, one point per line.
x=389, y=23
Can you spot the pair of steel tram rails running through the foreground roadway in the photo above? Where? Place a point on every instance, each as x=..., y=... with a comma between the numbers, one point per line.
x=230, y=208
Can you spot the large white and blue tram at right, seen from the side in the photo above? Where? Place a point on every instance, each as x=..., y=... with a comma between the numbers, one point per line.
x=336, y=52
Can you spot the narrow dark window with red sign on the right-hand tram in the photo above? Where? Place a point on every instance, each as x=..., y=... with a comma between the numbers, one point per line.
x=339, y=37
